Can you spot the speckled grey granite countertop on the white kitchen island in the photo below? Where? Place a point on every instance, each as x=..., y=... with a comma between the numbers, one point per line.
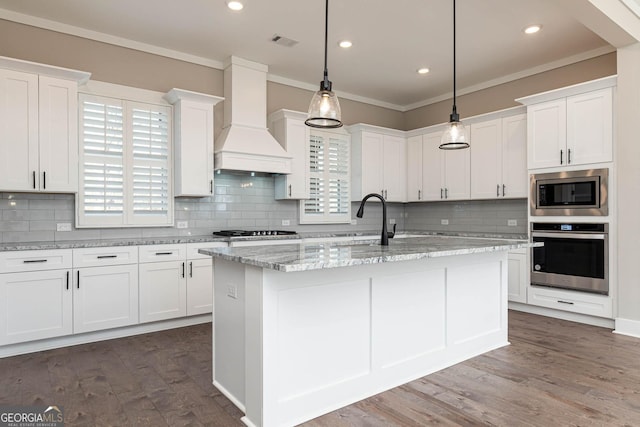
x=315, y=256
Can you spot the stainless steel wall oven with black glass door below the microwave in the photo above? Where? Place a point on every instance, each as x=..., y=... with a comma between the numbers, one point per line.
x=574, y=256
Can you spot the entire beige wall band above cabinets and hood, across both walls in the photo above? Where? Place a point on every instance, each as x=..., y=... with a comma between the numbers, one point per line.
x=130, y=67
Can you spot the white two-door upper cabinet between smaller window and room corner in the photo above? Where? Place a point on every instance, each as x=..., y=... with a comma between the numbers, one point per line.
x=378, y=163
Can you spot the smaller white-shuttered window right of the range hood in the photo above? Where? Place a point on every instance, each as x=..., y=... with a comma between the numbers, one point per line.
x=329, y=179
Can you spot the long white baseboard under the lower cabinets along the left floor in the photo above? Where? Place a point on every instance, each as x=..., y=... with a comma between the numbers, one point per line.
x=89, y=337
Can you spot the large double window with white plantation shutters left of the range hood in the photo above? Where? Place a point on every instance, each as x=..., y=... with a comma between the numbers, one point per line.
x=125, y=153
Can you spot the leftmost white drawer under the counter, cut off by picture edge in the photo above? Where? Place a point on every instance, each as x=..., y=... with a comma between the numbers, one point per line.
x=20, y=261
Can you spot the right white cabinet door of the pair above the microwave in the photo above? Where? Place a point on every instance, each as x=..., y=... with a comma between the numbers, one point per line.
x=590, y=127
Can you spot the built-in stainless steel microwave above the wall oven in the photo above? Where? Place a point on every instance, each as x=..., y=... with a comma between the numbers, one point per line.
x=571, y=193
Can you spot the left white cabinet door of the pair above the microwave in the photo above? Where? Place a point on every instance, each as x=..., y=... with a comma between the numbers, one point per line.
x=547, y=134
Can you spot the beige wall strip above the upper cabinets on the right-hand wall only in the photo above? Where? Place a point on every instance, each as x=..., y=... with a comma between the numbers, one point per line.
x=504, y=95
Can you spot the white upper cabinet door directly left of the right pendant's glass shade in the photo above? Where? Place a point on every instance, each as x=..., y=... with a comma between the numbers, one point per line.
x=432, y=167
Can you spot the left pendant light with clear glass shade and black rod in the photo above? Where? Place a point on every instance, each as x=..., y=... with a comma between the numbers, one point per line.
x=324, y=110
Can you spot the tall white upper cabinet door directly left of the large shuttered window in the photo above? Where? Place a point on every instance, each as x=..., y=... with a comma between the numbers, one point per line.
x=58, y=146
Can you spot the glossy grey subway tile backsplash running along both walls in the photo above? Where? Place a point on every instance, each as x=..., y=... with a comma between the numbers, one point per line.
x=242, y=201
